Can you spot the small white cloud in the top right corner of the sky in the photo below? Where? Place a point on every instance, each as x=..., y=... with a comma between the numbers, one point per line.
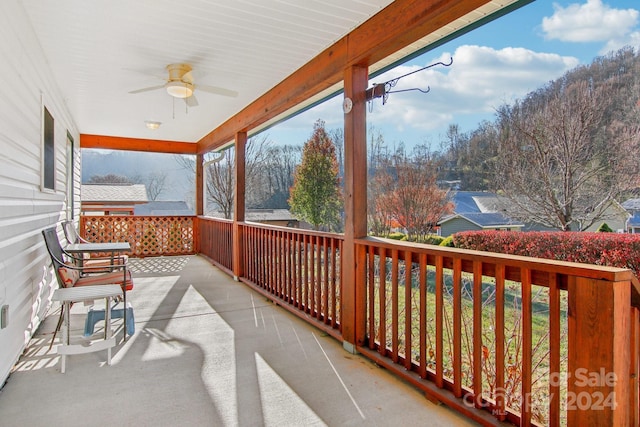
x=592, y=21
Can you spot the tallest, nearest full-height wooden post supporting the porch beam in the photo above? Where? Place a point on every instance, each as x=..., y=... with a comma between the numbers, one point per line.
x=353, y=294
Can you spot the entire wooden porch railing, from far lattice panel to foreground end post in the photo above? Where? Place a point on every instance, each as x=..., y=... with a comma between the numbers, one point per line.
x=523, y=340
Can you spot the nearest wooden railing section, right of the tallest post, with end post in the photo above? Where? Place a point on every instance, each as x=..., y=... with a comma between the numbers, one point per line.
x=532, y=341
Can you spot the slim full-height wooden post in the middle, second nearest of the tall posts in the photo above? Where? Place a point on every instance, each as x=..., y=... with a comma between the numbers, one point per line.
x=239, y=205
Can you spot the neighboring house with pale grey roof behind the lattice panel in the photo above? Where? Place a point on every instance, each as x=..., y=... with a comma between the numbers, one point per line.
x=112, y=199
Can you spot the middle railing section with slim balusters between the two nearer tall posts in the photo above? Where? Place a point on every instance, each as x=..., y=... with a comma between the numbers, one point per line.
x=298, y=268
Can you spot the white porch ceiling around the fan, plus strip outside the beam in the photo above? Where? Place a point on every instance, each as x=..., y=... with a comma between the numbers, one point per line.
x=100, y=50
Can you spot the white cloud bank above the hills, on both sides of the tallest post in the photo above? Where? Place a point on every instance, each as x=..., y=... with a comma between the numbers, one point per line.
x=479, y=81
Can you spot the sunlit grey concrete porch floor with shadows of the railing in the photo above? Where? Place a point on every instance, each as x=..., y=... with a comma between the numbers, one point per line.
x=208, y=351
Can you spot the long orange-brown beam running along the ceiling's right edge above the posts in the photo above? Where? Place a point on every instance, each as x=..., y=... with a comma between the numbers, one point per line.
x=393, y=28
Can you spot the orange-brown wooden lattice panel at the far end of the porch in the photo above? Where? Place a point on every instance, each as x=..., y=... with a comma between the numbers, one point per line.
x=147, y=235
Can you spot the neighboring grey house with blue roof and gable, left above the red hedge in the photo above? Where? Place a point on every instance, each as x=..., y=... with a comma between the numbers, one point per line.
x=476, y=210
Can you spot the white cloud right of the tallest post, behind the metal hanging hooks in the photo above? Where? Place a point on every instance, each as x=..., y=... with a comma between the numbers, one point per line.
x=479, y=81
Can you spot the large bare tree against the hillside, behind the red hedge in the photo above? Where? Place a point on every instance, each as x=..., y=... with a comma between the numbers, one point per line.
x=562, y=161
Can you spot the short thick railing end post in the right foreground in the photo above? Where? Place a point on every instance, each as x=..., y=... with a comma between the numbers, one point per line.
x=599, y=354
